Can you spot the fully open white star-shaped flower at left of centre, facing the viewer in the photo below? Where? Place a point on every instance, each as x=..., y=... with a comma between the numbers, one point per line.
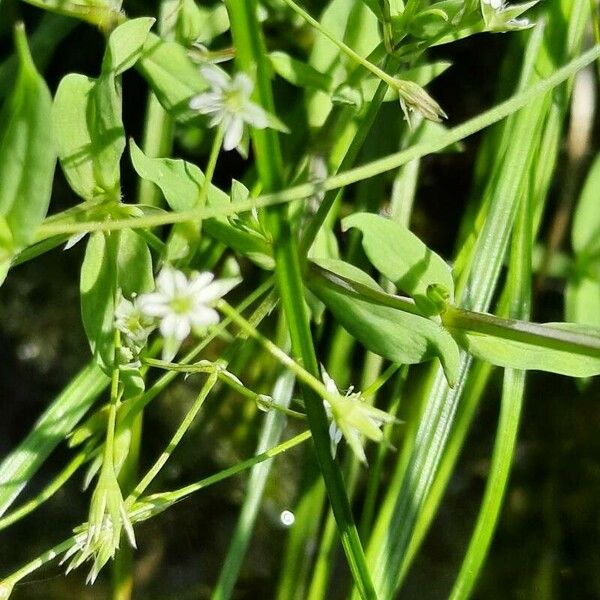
x=183, y=304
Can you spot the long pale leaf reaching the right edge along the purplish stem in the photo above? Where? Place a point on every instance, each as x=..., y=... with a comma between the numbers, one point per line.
x=524, y=356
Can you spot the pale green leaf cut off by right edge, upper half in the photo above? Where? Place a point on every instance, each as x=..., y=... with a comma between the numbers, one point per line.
x=585, y=235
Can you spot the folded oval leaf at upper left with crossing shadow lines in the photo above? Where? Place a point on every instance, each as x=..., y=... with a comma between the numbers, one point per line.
x=90, y=135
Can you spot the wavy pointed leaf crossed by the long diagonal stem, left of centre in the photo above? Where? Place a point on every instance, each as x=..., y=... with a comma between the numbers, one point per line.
x=180, y=182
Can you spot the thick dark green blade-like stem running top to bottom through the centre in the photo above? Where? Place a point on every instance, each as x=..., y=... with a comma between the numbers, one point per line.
x=251, y=54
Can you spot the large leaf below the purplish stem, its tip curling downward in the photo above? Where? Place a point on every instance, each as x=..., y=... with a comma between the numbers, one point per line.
x=396, y=335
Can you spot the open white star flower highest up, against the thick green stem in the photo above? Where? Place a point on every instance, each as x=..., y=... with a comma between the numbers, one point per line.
x=228, y=102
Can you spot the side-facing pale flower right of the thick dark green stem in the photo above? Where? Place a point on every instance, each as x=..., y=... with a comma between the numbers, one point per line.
x=352, y=417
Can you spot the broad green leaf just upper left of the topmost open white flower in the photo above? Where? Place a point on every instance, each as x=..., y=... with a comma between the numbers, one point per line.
x=172, y=76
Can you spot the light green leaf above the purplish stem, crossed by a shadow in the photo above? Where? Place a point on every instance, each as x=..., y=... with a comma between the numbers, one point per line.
x=404, y=259
